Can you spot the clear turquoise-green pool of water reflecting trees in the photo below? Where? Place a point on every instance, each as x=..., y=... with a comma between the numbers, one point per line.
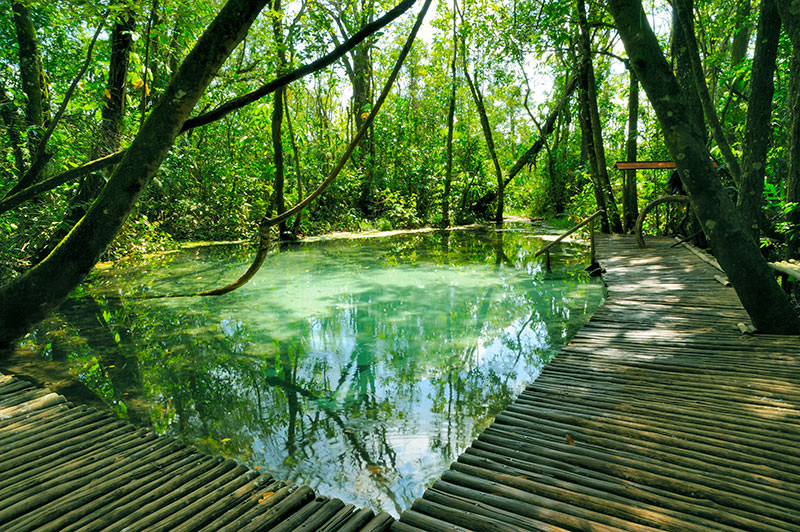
x=360, y=367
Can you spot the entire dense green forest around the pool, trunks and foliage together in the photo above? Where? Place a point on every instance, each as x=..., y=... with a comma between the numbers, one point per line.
x=131, y=126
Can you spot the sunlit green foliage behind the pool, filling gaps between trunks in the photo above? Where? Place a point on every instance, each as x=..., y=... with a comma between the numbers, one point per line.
x=217, y=183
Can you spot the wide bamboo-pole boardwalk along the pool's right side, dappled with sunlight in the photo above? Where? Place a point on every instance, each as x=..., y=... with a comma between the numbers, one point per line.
x=659, y=415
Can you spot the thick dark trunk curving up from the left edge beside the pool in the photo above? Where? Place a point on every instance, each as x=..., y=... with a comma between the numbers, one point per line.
x=30, y=297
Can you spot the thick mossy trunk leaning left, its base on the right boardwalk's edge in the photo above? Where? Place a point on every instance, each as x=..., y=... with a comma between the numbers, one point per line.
x=730, y=238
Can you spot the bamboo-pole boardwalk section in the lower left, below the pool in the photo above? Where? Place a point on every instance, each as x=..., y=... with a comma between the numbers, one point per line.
x=68, y=468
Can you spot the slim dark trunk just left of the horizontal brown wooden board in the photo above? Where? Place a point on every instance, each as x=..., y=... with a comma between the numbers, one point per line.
x=585, y=55
